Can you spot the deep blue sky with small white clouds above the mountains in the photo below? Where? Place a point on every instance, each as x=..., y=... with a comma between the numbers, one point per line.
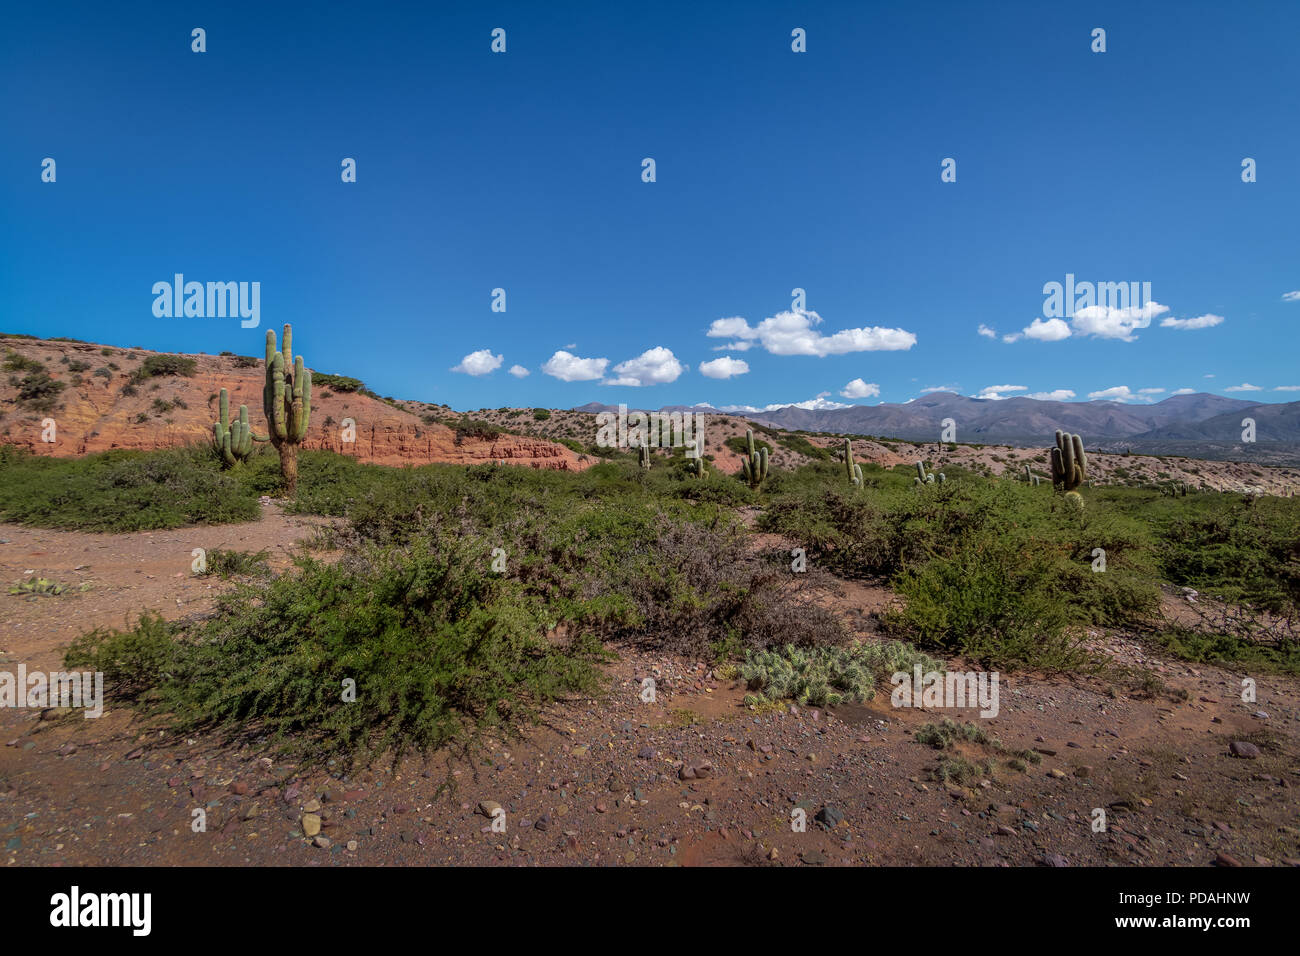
x=774, y=171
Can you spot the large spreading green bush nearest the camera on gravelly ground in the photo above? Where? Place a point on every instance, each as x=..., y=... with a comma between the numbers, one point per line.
x=439, y=647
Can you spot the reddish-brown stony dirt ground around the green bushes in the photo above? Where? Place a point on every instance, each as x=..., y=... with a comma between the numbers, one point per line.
x=694, y=778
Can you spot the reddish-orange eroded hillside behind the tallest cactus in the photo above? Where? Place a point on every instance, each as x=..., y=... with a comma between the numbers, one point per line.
x=101, y=399
